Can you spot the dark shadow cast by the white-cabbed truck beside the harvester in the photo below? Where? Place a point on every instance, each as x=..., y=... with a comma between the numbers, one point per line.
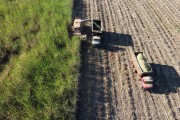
x=114, y=42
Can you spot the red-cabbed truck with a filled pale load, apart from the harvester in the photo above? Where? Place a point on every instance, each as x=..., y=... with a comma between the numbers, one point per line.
x=144, y=76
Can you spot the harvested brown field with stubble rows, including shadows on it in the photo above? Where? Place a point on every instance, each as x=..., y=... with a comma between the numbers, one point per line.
x=108, y=86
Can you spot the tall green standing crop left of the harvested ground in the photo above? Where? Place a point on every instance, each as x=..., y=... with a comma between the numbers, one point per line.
x=38, y=61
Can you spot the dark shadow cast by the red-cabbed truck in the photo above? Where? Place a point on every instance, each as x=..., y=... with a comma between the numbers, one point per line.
x=166, y=79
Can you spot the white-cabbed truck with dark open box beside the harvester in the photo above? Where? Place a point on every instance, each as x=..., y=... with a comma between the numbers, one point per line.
x=96, y=33
